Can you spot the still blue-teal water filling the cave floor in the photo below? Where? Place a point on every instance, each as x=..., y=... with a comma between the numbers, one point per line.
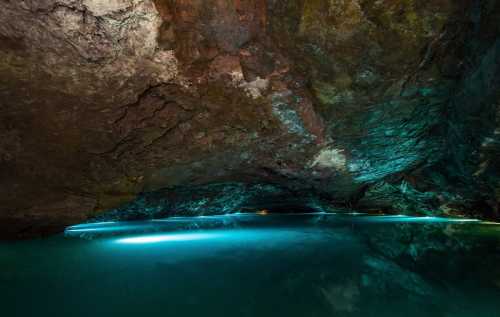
x=251, y=265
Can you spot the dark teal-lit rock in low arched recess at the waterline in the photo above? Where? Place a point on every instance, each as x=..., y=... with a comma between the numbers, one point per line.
x=213, y=199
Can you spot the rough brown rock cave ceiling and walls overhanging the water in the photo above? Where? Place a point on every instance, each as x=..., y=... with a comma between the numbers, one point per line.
x=377, y=105
